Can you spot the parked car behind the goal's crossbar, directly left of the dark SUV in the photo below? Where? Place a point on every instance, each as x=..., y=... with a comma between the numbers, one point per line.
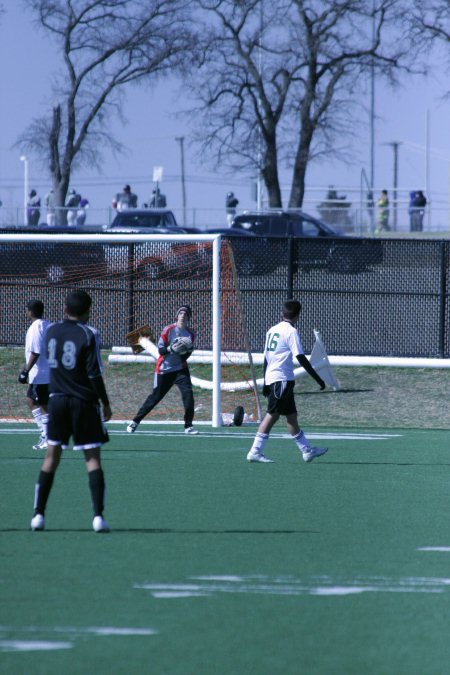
x=153, y=260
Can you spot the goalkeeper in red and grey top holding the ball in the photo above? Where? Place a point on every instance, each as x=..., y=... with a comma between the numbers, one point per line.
x=175, y=345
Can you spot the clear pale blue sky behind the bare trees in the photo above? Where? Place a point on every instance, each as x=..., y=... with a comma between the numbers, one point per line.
x=416, y=117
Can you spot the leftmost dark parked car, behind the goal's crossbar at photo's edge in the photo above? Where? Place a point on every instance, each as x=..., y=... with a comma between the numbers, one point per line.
x=55, y=261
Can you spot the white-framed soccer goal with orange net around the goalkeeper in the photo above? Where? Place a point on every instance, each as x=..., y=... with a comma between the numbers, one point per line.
x=135, y=280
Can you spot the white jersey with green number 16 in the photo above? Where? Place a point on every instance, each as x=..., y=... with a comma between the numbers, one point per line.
x=283, y=345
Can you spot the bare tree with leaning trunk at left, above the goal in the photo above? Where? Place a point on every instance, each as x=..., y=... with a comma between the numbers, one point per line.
x=103, y=46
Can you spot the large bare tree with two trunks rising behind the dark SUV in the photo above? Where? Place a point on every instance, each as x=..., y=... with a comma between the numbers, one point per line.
x=279, y=81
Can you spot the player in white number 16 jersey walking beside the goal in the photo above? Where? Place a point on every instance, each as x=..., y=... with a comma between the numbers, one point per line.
x=283, y=344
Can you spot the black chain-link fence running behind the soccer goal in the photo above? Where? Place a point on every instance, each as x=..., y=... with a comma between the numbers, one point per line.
x=368, y=297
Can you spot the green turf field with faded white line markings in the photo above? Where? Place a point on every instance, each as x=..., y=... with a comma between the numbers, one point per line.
x=215, y=566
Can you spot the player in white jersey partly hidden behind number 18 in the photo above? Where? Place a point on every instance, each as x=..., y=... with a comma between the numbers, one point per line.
x=36, y=371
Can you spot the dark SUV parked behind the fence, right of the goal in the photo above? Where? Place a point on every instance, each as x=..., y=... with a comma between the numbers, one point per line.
x=326, y=247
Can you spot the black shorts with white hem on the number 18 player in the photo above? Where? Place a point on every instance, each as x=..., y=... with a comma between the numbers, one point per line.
x=73, y=417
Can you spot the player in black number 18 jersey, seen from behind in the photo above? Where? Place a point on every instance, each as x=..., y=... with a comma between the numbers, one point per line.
x=76, y=387
